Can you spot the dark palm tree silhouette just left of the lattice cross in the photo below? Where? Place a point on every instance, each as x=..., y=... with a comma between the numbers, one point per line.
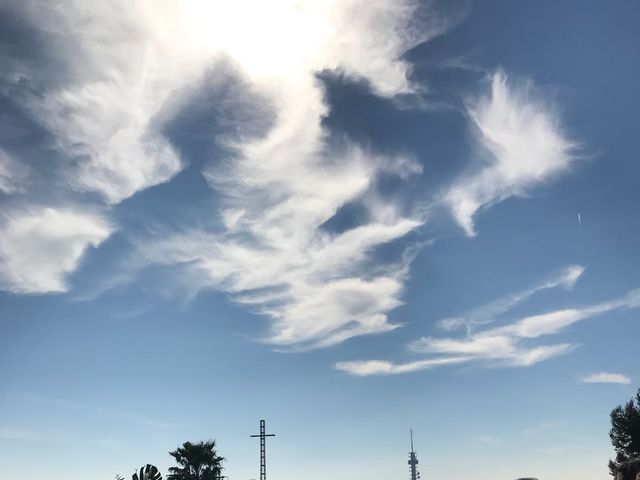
x=198, y=461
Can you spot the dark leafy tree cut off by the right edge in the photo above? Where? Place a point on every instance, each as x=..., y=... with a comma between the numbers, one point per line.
x=625, y=433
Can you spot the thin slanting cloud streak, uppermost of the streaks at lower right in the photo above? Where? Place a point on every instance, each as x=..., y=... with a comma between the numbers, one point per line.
x=487, y=313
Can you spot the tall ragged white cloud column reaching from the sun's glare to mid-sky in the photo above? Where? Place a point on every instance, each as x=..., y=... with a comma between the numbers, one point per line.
x=278, y=190
